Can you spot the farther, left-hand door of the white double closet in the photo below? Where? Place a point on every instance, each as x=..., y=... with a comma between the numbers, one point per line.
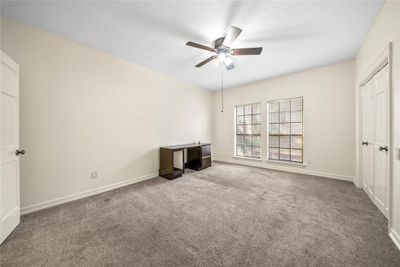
x=368, y=139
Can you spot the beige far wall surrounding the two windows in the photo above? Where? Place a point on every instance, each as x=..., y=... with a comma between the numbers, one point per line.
x=329, y=121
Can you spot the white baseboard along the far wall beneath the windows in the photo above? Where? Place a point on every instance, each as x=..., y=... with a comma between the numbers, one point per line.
x=300, y=170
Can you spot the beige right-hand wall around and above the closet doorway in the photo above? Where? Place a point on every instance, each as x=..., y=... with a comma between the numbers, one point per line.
x=385, y=29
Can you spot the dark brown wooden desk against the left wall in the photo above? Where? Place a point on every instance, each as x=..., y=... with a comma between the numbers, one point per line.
x=198, y=158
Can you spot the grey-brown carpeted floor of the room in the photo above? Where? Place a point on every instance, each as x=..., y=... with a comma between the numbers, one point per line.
x=226, y=215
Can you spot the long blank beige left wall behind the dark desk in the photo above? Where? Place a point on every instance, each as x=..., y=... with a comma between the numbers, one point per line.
x=83, y=110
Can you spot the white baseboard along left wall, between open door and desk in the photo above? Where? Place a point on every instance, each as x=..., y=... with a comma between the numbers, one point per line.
x=88, y=193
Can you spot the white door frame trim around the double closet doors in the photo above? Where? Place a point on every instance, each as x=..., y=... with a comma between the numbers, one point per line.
x=384, y=58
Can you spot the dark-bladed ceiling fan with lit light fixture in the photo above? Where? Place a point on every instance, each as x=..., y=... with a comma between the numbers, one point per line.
x=223, y=51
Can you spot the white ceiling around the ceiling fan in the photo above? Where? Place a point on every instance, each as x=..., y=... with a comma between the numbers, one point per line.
x=296, y=35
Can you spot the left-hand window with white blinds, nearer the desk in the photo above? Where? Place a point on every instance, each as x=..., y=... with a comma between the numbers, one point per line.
x=248, y=130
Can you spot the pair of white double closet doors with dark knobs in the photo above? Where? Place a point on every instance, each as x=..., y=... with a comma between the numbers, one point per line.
x=375, y=134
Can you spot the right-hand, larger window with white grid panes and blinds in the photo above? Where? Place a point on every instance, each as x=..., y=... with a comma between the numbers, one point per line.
x=286, y=130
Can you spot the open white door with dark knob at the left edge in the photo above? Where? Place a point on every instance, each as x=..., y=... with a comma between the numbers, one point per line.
x=9, y=176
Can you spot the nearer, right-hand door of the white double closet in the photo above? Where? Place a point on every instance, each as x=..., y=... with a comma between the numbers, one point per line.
x=381, y=173
